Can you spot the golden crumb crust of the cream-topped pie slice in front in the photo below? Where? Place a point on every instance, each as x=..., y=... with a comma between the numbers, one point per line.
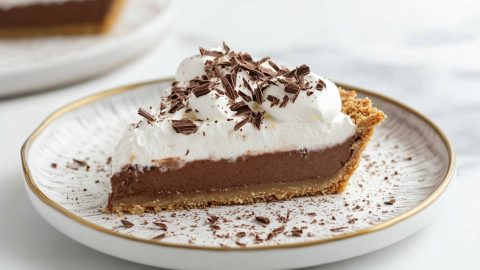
x=362, y=113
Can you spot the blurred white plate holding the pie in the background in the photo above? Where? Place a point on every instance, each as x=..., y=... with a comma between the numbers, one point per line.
x=52, y=61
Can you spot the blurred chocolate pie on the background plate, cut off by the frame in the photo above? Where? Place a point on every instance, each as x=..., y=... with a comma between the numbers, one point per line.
x=19, y=18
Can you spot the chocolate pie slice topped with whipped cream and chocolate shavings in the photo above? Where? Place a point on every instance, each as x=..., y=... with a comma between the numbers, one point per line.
x=234, y=130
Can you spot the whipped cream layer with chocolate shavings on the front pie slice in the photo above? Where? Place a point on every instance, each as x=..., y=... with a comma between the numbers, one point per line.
x=224, y=105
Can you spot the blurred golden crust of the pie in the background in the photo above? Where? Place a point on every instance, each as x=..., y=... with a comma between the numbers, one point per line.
x=71, y=29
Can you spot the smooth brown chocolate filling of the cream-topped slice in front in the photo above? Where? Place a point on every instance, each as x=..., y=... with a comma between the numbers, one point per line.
x=226, y=175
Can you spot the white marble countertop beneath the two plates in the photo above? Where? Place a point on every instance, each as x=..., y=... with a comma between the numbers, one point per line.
x=424, y=57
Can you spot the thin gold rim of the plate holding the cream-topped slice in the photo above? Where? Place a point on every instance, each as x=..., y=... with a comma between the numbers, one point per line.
x=104, y=94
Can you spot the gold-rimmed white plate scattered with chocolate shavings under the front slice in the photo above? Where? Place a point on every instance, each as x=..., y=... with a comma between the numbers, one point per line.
x=396, y=191
